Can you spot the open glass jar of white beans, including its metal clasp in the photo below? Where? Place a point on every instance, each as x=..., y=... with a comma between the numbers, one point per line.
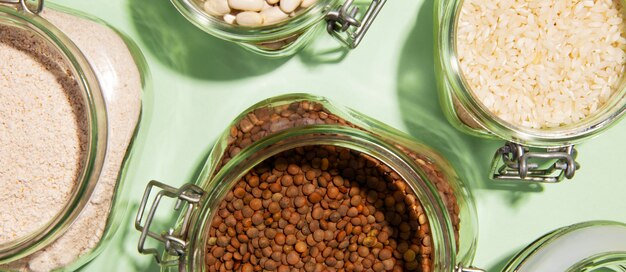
x=279, y=27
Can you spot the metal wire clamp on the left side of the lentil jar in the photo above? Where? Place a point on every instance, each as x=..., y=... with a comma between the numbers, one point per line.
x=174, y=241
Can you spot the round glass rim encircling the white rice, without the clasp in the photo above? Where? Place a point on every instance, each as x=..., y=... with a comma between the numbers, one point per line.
x=607, y=116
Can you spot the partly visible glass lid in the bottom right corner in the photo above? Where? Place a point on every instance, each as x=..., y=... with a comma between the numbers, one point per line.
x=598, y=246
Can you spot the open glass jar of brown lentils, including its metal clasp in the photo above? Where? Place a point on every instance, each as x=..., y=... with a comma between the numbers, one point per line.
x=297, y=183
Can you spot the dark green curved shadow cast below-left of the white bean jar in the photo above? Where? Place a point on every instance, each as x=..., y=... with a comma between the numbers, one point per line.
x=179, y=45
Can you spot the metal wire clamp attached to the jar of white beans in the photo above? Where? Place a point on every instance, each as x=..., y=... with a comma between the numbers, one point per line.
x=339, y=22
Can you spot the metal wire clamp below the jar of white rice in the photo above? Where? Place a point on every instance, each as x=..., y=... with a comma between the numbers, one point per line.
x=513, y=162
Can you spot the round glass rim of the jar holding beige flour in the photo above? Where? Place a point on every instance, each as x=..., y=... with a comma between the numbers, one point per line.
x=95, y=115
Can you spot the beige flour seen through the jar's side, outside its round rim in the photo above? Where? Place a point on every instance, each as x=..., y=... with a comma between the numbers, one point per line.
x=121, y=86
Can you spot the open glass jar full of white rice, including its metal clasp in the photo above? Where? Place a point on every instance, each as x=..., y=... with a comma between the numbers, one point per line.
x=542, y=81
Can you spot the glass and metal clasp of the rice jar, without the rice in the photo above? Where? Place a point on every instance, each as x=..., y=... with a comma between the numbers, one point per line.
x=530, y=154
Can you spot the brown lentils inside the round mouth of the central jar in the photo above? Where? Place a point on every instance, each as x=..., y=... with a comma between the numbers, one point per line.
x=334, y=236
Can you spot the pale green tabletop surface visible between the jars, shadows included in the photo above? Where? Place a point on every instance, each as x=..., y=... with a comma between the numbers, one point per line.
x=201, y=83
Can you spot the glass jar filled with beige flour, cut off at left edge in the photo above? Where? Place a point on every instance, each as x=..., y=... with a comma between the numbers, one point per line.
x=106, y=74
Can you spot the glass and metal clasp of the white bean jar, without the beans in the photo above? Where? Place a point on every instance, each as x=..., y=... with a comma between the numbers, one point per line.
x=287, y=37
